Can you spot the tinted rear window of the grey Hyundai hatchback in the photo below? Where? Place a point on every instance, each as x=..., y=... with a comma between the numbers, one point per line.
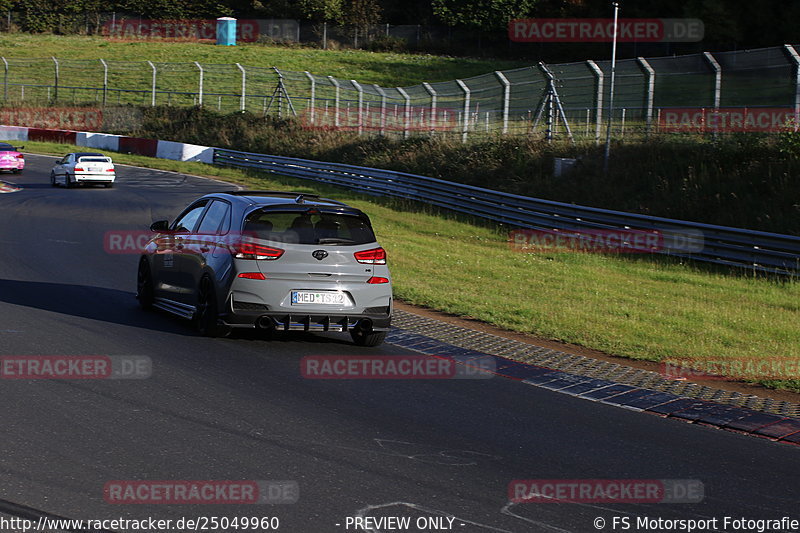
x=299, y=227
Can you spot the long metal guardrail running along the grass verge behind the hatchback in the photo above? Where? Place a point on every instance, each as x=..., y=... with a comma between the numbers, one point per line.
x=755, y=250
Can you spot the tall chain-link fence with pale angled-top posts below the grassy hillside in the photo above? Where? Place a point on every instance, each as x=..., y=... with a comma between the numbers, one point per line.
x=550, y=100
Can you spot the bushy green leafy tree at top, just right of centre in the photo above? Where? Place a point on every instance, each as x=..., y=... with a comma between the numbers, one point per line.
x=485, y=15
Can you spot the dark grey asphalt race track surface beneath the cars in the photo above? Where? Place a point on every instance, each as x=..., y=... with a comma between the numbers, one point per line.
x=239, y=409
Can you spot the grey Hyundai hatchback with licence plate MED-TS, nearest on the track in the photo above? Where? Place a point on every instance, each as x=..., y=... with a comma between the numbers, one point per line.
x=270, y=260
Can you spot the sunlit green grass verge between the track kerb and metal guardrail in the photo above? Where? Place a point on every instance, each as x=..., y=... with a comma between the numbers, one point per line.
x=642, y=308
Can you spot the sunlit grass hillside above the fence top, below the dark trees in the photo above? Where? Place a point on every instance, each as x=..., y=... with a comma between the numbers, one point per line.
x=387, y=69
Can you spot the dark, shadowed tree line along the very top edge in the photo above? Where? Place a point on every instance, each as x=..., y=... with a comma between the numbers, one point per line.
x=734, y=23
